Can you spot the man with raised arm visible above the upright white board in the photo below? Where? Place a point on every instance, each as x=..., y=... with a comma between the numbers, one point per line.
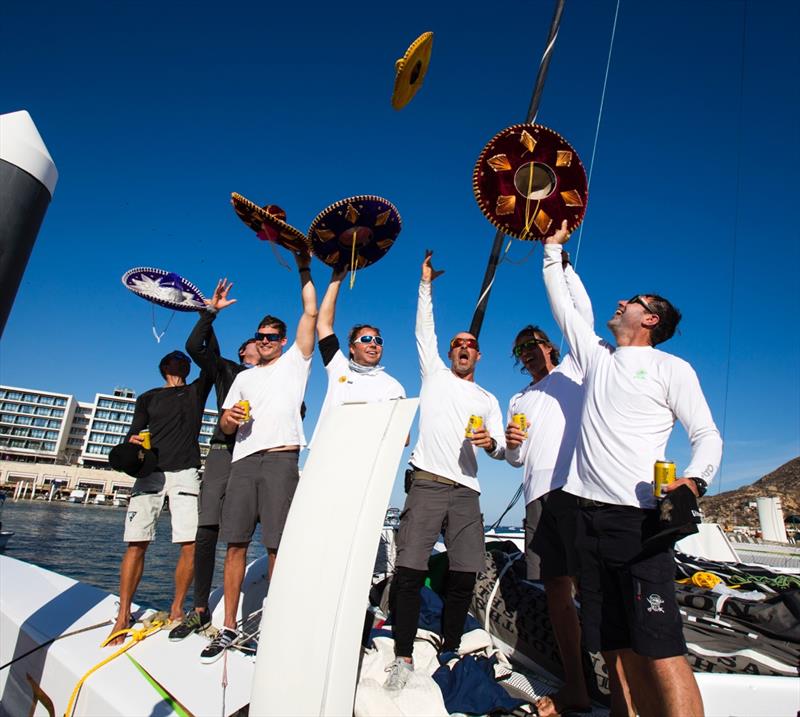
x=359, y=378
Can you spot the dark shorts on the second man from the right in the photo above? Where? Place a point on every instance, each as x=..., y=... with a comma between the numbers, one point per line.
x=550, y=525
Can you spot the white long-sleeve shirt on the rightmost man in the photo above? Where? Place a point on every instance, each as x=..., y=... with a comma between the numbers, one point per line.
x=634, y=394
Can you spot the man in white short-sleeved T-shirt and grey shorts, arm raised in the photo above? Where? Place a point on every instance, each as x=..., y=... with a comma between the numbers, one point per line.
x=269, y=435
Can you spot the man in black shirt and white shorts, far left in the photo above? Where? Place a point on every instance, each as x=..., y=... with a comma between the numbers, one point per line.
x=173, y=414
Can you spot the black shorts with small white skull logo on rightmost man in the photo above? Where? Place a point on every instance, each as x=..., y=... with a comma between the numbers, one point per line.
x=626, y=601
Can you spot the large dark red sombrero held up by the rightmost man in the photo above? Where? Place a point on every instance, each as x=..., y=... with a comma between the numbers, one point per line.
x=528, y=179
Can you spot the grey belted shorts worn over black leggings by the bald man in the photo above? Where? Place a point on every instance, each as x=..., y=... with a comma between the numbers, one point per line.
x=427, y=505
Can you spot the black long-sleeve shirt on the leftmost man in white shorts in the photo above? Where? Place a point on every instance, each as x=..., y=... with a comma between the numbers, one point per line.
x=174, y=415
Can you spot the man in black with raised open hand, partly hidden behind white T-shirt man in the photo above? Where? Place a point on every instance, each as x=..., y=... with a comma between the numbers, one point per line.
x=203, y=347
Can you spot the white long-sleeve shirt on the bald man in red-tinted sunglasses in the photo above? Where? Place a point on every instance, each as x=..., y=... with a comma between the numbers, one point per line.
x=445, y=404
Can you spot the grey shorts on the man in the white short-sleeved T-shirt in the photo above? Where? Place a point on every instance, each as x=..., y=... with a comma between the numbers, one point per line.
x=260, y=490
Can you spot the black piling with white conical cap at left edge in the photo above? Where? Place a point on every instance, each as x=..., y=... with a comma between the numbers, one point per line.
x=28, y=178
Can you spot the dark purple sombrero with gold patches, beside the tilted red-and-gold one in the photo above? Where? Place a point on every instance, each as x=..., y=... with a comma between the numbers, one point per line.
x=371, y=222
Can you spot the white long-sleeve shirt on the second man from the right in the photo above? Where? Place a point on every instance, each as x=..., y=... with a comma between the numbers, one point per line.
x=552, y=406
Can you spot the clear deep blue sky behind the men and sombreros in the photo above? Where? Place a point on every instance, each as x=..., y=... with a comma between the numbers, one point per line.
x=155, y=113
